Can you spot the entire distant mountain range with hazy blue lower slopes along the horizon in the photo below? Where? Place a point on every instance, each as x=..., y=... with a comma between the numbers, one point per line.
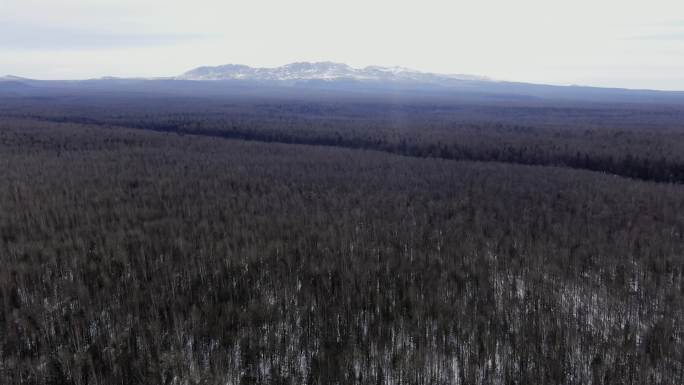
x=329, y=79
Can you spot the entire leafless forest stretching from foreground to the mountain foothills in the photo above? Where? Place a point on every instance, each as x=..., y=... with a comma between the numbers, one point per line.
x=162, y=240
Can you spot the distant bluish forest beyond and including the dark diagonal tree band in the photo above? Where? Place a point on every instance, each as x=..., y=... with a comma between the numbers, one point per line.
x=641, y=142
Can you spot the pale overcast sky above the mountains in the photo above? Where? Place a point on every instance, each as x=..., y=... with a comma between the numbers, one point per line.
x=614, y=43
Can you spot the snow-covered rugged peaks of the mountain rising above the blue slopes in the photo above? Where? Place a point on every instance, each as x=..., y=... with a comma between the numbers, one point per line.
x=318, y=71
